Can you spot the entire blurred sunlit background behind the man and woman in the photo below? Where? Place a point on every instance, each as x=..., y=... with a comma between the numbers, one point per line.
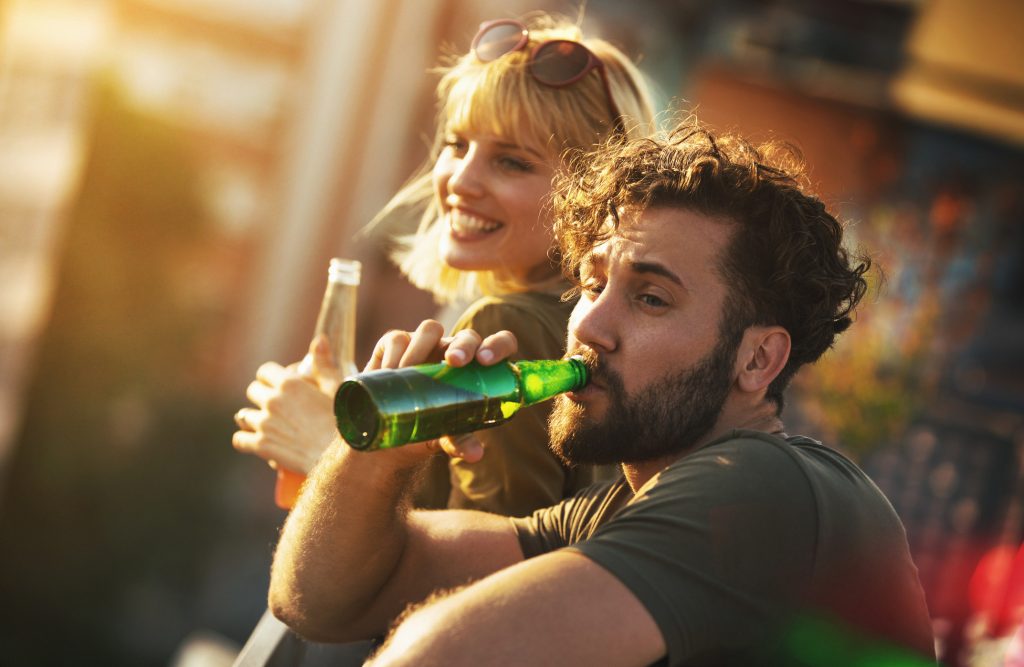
x=176, y=176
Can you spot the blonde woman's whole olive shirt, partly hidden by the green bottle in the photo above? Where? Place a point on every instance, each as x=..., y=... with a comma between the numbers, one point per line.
x=519, y=474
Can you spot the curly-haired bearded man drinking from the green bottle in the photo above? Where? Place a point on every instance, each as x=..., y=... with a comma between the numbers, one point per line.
x=707, y=279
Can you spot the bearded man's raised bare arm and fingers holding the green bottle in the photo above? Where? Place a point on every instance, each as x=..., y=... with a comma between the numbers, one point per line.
x=353, y=555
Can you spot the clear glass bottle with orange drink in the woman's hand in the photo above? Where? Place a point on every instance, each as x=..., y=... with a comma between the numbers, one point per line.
x=337, y=322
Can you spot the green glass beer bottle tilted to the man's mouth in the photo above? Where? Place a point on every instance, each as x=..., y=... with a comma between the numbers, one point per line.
x=393, y=407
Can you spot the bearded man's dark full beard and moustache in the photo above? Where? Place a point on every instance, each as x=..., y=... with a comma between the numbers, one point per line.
x=667, y=418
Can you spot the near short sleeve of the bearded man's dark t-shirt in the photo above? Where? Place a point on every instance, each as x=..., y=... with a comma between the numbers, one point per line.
x=717, y=548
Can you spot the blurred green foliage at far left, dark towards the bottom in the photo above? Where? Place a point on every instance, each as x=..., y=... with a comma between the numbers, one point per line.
x=108, y=515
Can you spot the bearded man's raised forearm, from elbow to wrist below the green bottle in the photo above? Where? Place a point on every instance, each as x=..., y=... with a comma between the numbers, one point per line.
x=342, y=545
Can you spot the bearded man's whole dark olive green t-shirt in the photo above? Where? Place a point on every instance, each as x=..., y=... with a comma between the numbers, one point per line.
x=754, y=550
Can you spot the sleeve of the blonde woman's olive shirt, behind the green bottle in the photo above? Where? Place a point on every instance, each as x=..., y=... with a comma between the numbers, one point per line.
x=519, y=474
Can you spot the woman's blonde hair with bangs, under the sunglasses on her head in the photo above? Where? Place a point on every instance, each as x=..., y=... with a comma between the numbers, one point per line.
x=503, y=99
